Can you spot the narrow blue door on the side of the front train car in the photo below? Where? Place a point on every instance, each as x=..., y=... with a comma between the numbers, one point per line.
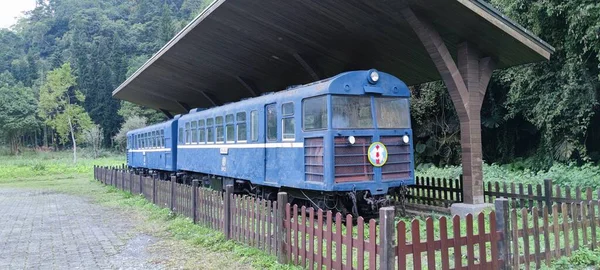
x=271, y=168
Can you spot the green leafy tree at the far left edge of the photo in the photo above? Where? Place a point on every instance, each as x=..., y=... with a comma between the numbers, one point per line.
x=17, y=110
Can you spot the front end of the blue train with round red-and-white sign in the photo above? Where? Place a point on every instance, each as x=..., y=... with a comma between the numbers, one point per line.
x=365, y=151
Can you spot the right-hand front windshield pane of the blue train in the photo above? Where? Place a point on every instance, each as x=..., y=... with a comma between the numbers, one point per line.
x=392, y=112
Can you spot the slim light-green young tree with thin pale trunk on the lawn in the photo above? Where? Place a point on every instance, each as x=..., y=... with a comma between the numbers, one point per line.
x=59, y=107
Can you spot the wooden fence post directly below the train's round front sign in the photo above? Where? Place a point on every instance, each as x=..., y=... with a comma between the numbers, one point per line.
x=386, y=238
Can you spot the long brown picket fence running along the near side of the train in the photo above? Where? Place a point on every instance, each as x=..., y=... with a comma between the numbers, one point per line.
x=515, y=238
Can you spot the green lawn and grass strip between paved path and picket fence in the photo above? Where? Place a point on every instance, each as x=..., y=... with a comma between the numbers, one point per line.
x=55, y=171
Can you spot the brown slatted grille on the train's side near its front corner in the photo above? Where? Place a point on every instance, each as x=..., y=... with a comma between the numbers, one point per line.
x=313, y=159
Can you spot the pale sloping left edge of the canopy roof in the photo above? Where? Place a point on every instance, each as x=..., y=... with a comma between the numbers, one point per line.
x=191, y=25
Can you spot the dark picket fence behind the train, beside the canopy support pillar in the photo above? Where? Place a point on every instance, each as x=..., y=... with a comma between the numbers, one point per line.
x=438, y=194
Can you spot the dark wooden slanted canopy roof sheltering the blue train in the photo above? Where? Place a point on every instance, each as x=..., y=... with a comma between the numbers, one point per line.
x=241, y=48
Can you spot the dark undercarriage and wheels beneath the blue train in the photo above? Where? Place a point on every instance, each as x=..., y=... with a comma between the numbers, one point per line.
x=357, y=203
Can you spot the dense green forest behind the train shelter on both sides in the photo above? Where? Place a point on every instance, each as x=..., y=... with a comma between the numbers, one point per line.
x=61, y=61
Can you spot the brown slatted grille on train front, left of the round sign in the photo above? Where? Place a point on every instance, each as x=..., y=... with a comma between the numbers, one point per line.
x=351, y=161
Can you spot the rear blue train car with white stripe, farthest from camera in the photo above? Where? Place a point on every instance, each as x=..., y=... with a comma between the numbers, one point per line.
x=153, y=148
